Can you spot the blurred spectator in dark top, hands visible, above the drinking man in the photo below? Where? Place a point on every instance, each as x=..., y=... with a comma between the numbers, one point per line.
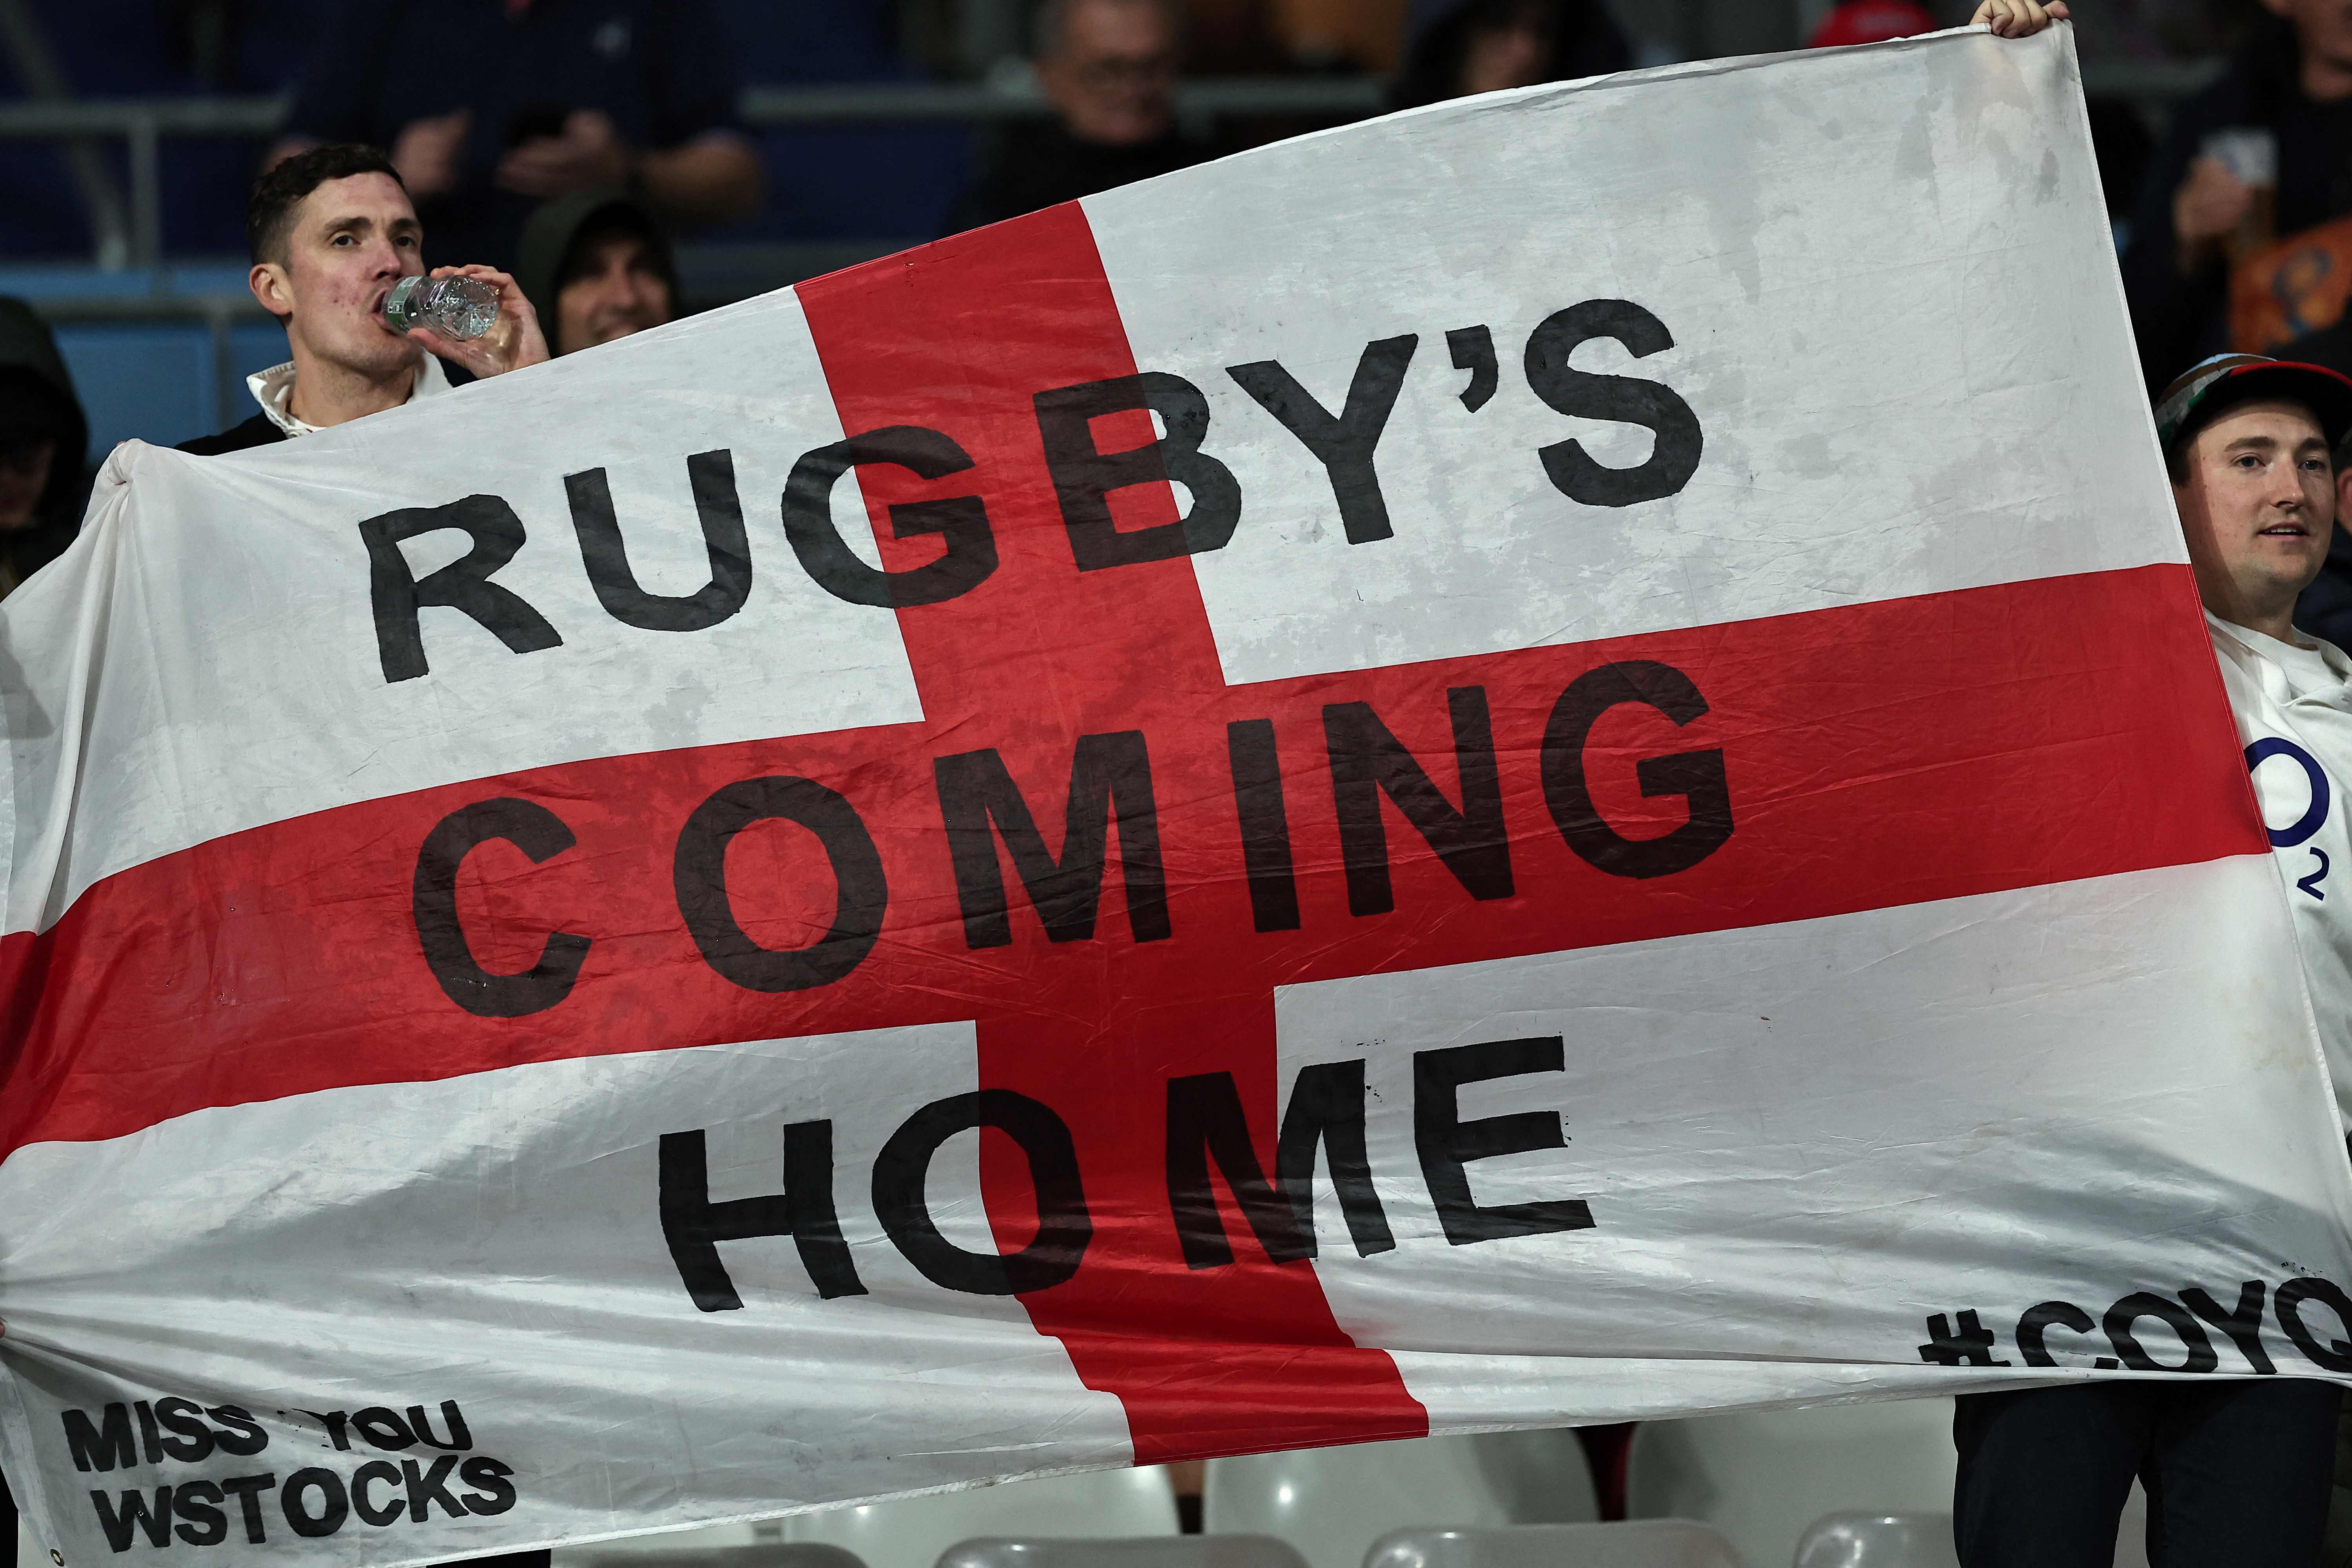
x=493, y=107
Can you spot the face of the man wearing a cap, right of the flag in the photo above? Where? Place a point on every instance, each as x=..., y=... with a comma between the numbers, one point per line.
x=2257, y=504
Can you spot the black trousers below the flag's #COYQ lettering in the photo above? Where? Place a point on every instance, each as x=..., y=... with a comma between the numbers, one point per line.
x=2238, y=1473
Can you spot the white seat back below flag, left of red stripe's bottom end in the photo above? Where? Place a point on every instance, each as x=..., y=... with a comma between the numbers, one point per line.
x=916, y=1532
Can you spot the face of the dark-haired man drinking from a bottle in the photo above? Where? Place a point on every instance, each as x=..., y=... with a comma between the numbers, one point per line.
x=352, y=241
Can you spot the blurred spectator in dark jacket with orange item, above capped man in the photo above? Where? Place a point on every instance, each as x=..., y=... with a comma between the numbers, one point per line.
x=2261, y=154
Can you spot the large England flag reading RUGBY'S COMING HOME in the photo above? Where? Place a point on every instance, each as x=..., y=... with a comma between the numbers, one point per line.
x=1546, y=760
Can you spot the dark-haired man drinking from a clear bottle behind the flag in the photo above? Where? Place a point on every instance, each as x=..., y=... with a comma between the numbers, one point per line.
x=330, y=232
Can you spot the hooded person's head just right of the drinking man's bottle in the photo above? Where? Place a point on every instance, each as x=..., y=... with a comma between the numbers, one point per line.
x=596, y=267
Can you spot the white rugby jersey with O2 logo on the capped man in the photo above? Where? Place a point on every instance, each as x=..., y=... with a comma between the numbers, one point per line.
x=2294, y=713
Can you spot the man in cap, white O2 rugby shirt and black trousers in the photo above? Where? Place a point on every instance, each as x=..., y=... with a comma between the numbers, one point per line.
x=2236, y=1470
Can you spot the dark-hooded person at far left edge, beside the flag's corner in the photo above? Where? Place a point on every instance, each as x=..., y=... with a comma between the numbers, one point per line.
x=44, y=441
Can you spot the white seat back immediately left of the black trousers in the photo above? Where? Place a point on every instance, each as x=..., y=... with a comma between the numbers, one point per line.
x=1763, y=1477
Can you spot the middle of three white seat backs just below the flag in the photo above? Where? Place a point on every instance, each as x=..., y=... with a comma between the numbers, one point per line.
x=1332, y=1503
